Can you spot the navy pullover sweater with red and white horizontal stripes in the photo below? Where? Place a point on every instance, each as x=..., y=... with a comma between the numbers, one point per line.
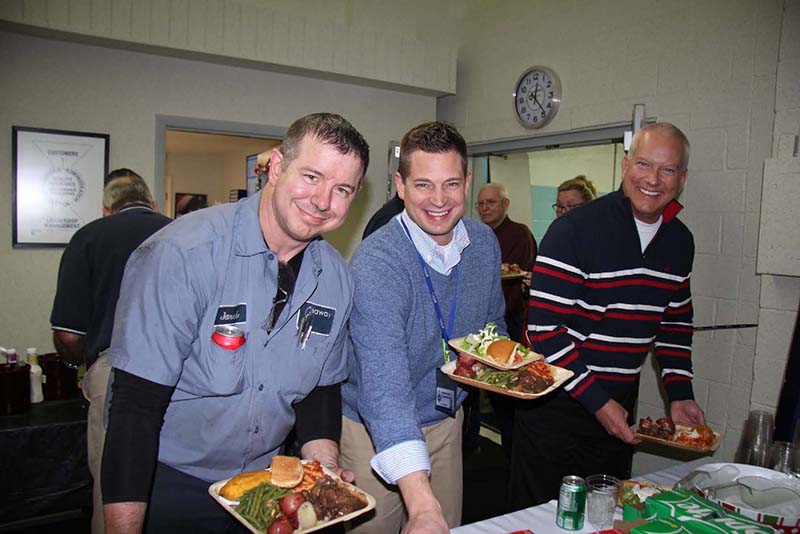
x=598, y=304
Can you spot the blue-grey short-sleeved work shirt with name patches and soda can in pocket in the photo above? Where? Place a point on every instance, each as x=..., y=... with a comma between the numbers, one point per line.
x=231, y=410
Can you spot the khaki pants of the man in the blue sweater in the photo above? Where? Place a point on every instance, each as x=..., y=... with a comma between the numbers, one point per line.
x=444, y=447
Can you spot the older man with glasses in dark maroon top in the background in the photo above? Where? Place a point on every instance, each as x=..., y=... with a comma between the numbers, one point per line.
x=517, y=245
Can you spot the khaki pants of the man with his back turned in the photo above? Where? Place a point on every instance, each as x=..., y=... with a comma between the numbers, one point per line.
x=95, y=386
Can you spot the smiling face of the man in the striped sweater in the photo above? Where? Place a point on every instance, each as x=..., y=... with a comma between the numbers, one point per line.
x=654, y=175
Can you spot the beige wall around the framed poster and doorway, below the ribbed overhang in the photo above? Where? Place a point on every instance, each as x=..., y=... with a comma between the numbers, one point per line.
x=69, y=86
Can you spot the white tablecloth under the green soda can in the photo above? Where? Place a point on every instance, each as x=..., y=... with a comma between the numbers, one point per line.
x=542, y=519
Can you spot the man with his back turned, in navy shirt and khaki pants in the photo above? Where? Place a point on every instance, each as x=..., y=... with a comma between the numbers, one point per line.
x=89, y=278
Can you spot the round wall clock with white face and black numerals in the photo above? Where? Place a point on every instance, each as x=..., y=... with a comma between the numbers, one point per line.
x=536, y=97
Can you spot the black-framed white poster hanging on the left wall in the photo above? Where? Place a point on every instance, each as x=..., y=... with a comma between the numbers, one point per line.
x=57, y=184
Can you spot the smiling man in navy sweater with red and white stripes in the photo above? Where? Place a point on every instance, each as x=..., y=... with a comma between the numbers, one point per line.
x=611, y=281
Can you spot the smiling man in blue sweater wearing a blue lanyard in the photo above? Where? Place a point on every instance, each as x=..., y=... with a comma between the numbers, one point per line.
x=427, y=276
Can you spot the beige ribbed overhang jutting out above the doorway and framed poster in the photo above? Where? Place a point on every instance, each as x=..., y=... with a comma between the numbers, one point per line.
x=378, y=42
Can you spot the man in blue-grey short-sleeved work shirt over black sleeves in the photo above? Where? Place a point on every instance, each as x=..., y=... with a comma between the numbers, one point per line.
x=230, y=330
